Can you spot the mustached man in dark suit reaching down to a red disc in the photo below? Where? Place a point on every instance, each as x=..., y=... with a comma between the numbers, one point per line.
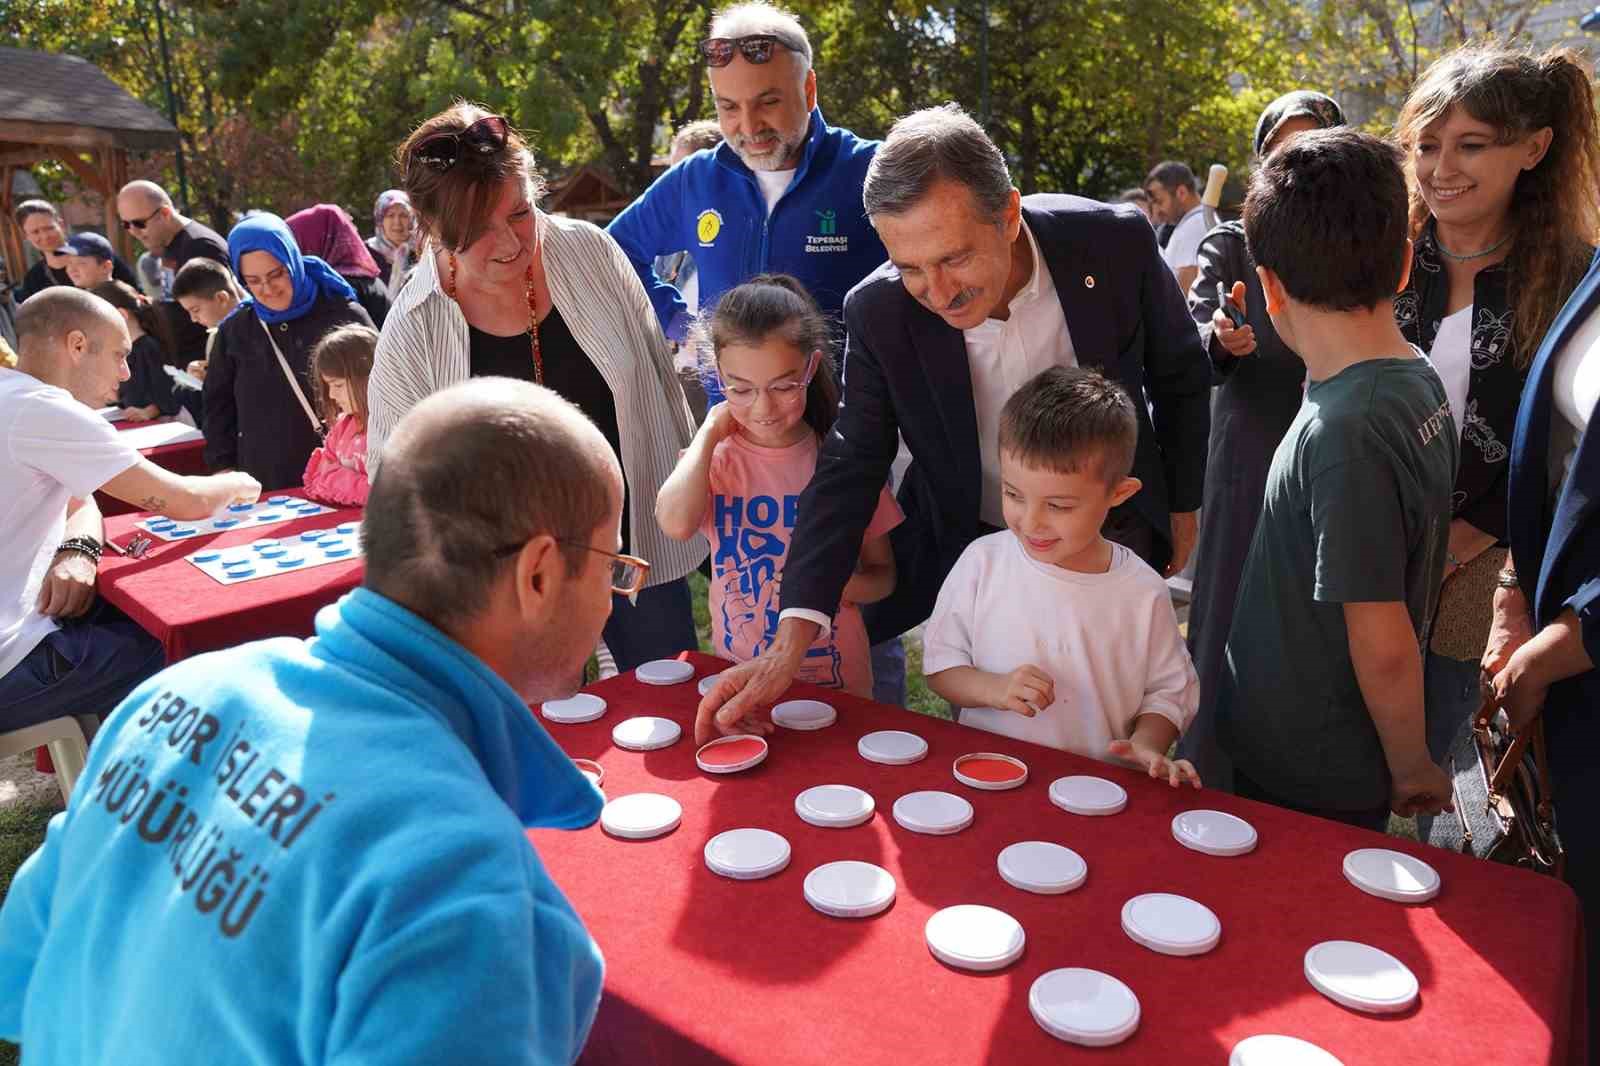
x=982, y=292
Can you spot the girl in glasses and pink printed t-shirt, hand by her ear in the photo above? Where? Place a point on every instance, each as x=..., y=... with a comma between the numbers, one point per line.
x=742, y=478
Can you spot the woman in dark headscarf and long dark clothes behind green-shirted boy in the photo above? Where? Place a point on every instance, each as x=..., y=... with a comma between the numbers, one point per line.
x=1262, y=385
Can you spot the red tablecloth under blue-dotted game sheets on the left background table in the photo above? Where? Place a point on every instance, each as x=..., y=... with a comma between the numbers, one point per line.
x=191, y=614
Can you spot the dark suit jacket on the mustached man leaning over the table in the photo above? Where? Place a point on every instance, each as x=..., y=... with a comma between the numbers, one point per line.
x=906, y=372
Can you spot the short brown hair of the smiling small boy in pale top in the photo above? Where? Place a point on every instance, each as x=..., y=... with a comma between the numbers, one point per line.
x=1071, y=420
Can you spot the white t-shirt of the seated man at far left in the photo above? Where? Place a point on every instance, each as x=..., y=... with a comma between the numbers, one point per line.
x=55, y=451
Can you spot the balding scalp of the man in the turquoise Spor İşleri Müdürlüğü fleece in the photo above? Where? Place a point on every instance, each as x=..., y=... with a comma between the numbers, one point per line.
x=474, y=473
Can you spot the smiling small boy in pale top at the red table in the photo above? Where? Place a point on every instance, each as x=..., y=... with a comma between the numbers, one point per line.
x=1047, y=631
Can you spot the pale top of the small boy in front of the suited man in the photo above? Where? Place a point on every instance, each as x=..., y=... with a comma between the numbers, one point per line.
x=1110, y=641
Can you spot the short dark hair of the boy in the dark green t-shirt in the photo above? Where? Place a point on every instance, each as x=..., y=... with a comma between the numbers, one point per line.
x=1327, y=214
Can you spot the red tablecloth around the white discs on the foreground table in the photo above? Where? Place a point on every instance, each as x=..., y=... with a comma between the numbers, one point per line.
x=710, y=971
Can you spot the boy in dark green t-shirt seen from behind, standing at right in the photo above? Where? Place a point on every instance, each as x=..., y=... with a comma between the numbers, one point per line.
x=1321, y=702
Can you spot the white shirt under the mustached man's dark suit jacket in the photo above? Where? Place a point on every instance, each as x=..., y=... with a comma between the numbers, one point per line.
x=1004, y=356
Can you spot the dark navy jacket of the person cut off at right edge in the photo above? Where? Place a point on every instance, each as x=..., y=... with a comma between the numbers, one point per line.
x=1558, y=545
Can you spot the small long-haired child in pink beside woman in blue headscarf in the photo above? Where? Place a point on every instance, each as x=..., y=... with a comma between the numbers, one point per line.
x=340, y=367
